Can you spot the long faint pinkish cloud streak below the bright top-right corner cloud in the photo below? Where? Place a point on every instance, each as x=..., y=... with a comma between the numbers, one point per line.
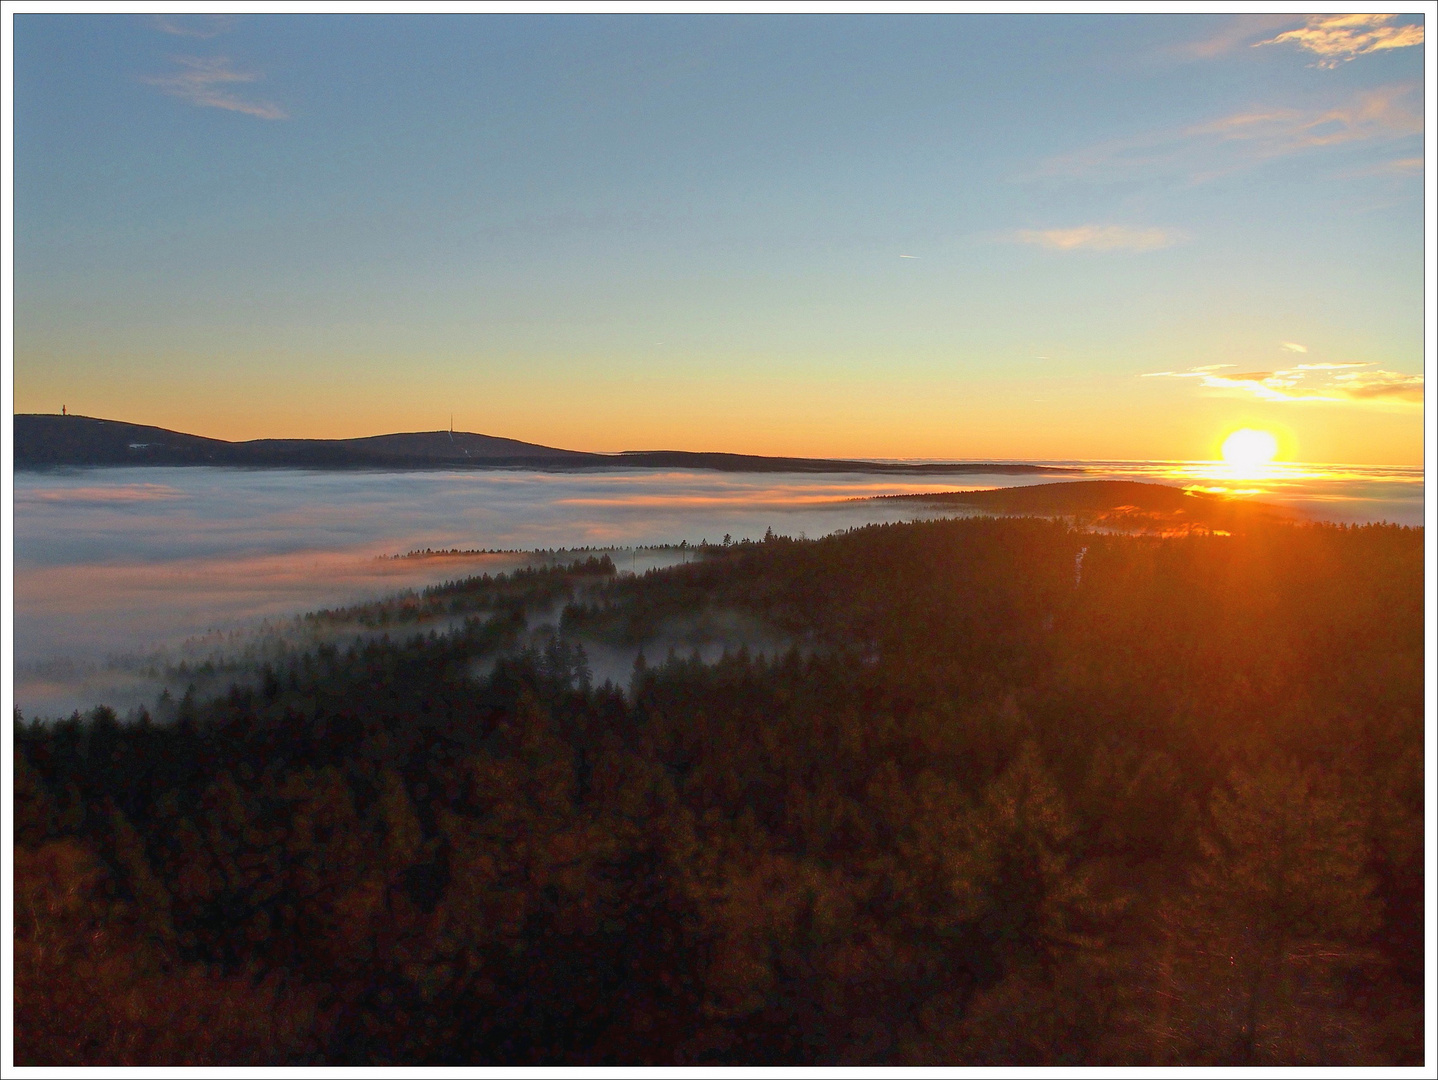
x=1246, y=139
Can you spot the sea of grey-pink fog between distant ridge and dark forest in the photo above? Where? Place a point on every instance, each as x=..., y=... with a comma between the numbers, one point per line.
x=117, y=567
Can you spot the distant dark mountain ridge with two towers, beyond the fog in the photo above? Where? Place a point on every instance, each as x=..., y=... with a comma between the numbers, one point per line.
x=45, y=439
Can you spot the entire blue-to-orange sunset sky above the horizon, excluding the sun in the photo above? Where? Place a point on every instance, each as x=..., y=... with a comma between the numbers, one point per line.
x=917, y=237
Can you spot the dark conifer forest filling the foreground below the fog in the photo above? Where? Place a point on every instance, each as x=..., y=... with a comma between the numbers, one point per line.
x=1006, y=793
